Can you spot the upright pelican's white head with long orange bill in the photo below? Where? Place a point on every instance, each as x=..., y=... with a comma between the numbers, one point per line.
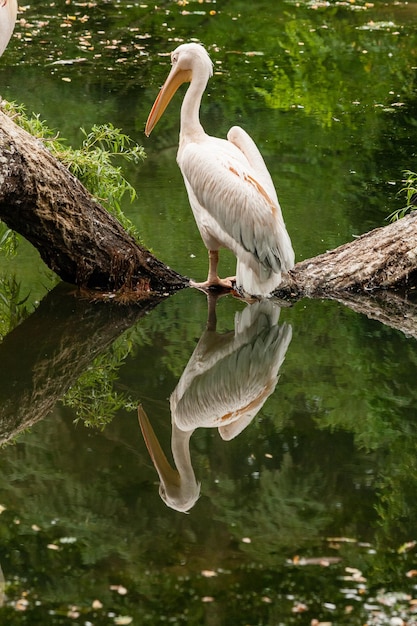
x=189, y=61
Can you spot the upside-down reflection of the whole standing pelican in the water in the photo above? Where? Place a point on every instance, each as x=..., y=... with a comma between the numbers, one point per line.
x=224, y=385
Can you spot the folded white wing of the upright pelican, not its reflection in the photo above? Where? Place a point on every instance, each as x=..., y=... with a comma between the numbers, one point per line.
x=226, y=186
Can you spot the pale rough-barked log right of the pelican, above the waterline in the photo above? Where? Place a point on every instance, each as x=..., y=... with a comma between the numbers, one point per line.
x=384, y=258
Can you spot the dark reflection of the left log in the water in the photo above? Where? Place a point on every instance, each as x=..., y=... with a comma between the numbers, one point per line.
x=46, y=354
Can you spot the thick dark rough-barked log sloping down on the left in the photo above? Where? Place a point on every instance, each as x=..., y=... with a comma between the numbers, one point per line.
x=75, y=236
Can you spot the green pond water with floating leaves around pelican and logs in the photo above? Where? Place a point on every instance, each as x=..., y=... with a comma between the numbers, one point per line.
x=309, y=512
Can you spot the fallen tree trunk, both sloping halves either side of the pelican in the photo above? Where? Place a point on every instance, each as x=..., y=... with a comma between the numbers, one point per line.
x=84, y=245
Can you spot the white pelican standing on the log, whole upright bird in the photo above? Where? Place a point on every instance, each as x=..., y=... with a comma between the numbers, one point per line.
x=230, y=190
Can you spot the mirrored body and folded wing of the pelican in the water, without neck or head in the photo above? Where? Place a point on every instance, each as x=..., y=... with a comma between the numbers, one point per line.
x=235, y=387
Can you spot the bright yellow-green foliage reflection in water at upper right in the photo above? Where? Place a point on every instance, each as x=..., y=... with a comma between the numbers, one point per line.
x=323, y=70
